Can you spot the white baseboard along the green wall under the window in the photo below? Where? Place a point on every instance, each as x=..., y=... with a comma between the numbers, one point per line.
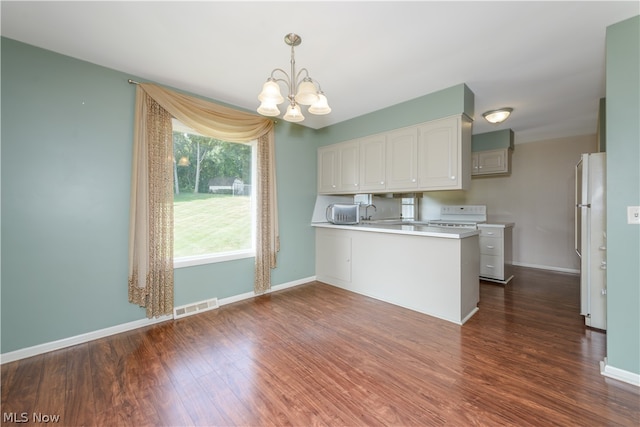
x=102, y=333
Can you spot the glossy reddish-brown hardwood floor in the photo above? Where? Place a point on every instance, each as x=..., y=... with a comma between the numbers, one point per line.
x=318, y=355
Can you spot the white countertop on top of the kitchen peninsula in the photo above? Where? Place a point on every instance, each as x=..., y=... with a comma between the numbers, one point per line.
x=416, y=230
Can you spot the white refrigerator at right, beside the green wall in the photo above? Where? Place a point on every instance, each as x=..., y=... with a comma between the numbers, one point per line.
x=591, y=238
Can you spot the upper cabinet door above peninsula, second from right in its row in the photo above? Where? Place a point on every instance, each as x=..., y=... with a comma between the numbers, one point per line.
x=402, y=159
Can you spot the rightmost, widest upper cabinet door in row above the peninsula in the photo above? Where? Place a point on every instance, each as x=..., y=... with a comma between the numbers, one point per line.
x=438, y=154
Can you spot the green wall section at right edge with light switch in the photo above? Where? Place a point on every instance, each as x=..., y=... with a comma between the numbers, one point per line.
x=623, y=189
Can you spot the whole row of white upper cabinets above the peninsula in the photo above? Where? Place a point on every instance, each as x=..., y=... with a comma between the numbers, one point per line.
x=430, y=156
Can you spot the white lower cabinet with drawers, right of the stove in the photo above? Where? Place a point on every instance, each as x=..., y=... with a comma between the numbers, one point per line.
x=495, y=252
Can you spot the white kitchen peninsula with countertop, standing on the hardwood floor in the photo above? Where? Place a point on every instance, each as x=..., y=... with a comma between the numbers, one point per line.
x=427, y=269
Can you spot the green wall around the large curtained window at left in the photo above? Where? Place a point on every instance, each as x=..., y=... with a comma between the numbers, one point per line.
x=67, y=129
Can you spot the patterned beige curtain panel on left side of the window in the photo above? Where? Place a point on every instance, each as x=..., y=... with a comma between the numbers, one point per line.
x=151, y=214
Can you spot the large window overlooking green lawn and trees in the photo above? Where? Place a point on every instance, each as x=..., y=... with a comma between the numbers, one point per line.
x=214, y=218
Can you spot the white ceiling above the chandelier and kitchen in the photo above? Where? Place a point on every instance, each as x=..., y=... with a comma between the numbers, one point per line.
x=544, y=59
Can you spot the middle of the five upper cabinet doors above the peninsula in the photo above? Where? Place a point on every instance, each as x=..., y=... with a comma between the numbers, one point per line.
x=372, y=163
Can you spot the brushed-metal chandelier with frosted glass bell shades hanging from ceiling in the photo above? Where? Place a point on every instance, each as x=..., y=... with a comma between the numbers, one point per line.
x=302, y=90
